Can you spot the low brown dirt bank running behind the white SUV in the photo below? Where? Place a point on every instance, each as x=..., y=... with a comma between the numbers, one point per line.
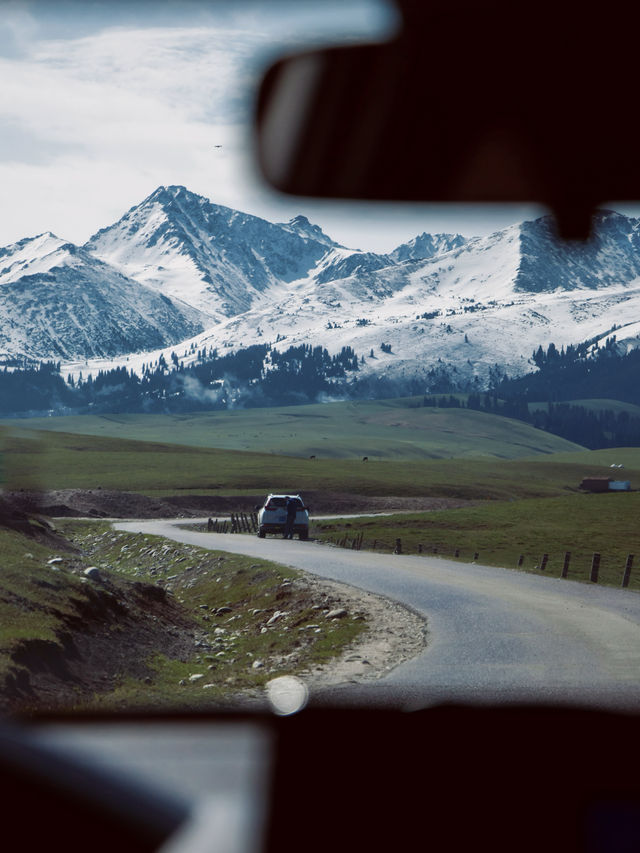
x=105, y=503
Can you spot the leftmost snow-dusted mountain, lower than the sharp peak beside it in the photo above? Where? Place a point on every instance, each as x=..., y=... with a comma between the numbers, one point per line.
x=59, y=302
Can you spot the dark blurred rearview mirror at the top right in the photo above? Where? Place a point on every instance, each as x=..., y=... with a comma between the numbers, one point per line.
x=478, y=103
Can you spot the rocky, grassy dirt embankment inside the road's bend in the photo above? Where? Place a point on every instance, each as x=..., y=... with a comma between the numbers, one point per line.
x=135, y=599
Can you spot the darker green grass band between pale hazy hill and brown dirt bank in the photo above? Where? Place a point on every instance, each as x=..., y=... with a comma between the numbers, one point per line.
x=52, y=460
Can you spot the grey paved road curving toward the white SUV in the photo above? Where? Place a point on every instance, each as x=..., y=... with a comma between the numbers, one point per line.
x=494, y=634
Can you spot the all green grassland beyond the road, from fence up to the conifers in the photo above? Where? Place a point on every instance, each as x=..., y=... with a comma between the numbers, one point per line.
x=524, y=481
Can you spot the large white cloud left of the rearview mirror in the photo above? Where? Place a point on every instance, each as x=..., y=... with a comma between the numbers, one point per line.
x=93, y=125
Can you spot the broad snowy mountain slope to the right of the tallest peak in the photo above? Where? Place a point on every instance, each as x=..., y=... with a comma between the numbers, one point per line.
x=467, y=310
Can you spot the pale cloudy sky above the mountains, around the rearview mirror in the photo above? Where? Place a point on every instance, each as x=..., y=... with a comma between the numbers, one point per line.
x=102, y=102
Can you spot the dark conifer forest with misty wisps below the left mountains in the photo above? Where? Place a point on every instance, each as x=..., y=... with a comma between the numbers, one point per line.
x=254, y=376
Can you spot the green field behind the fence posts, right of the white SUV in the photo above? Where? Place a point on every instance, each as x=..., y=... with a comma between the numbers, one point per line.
x=503, y=532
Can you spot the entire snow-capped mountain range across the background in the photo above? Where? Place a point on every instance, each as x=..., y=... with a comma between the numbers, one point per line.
x=446, y=302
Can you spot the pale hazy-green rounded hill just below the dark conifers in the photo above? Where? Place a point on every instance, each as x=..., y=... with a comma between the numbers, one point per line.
x=381, y=429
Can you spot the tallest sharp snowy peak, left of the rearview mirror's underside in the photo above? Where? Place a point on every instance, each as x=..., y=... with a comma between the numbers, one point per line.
x=214, y=258
